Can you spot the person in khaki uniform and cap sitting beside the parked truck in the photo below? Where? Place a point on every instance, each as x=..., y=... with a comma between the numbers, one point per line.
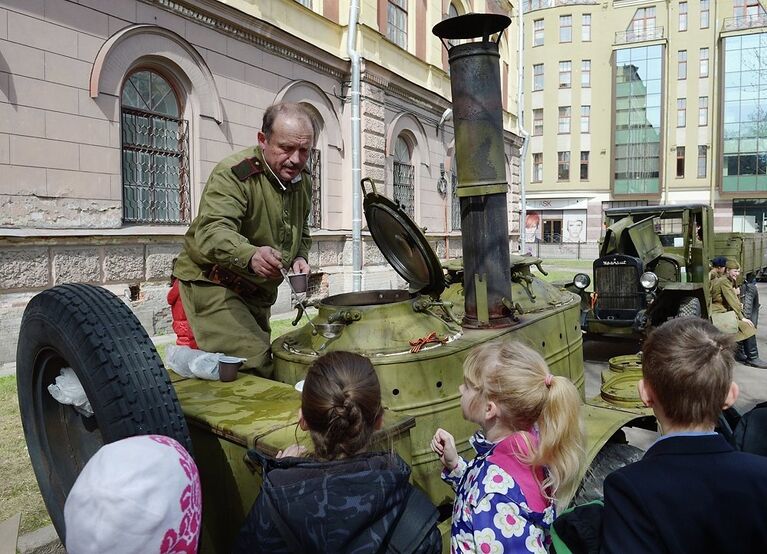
x=724, y=298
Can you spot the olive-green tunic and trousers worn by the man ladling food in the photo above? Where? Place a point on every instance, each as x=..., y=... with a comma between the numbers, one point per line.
x=243, y=206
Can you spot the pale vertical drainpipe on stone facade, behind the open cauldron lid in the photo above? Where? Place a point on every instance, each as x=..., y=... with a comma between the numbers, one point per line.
x=354, y=57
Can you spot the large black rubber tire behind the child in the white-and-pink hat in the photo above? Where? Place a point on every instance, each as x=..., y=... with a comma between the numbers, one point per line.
x=92, y=331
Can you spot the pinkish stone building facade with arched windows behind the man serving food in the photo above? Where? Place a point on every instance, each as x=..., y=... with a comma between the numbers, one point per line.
x=114, y=112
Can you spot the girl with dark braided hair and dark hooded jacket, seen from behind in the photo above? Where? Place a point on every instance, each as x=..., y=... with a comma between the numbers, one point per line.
x=342, y=497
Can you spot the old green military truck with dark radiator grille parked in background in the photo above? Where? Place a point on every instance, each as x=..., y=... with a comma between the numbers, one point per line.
x=653, y=264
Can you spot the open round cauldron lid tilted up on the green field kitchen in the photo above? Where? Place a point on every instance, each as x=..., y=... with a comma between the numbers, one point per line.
x=402, y=243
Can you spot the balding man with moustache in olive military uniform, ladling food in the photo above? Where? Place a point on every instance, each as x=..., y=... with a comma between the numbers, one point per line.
x=252, y=222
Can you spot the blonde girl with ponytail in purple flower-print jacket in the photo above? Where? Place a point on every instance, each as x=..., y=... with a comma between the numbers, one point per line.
x=528, y=450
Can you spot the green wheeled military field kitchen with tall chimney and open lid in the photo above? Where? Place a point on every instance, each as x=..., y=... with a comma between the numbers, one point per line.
x=486, y=296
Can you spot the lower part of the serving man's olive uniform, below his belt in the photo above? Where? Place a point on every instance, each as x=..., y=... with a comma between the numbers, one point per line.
x=224, y=321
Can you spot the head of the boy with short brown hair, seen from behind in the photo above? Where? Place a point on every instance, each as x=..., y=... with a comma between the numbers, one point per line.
x=688, y=363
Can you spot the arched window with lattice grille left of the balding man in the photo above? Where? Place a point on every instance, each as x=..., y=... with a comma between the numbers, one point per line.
x=155, y=151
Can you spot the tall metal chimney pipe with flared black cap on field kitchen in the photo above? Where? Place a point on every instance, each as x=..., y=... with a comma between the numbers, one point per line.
x=481, y=165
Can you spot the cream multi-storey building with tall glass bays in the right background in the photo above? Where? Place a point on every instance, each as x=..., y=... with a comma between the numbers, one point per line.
x=675, y=101
